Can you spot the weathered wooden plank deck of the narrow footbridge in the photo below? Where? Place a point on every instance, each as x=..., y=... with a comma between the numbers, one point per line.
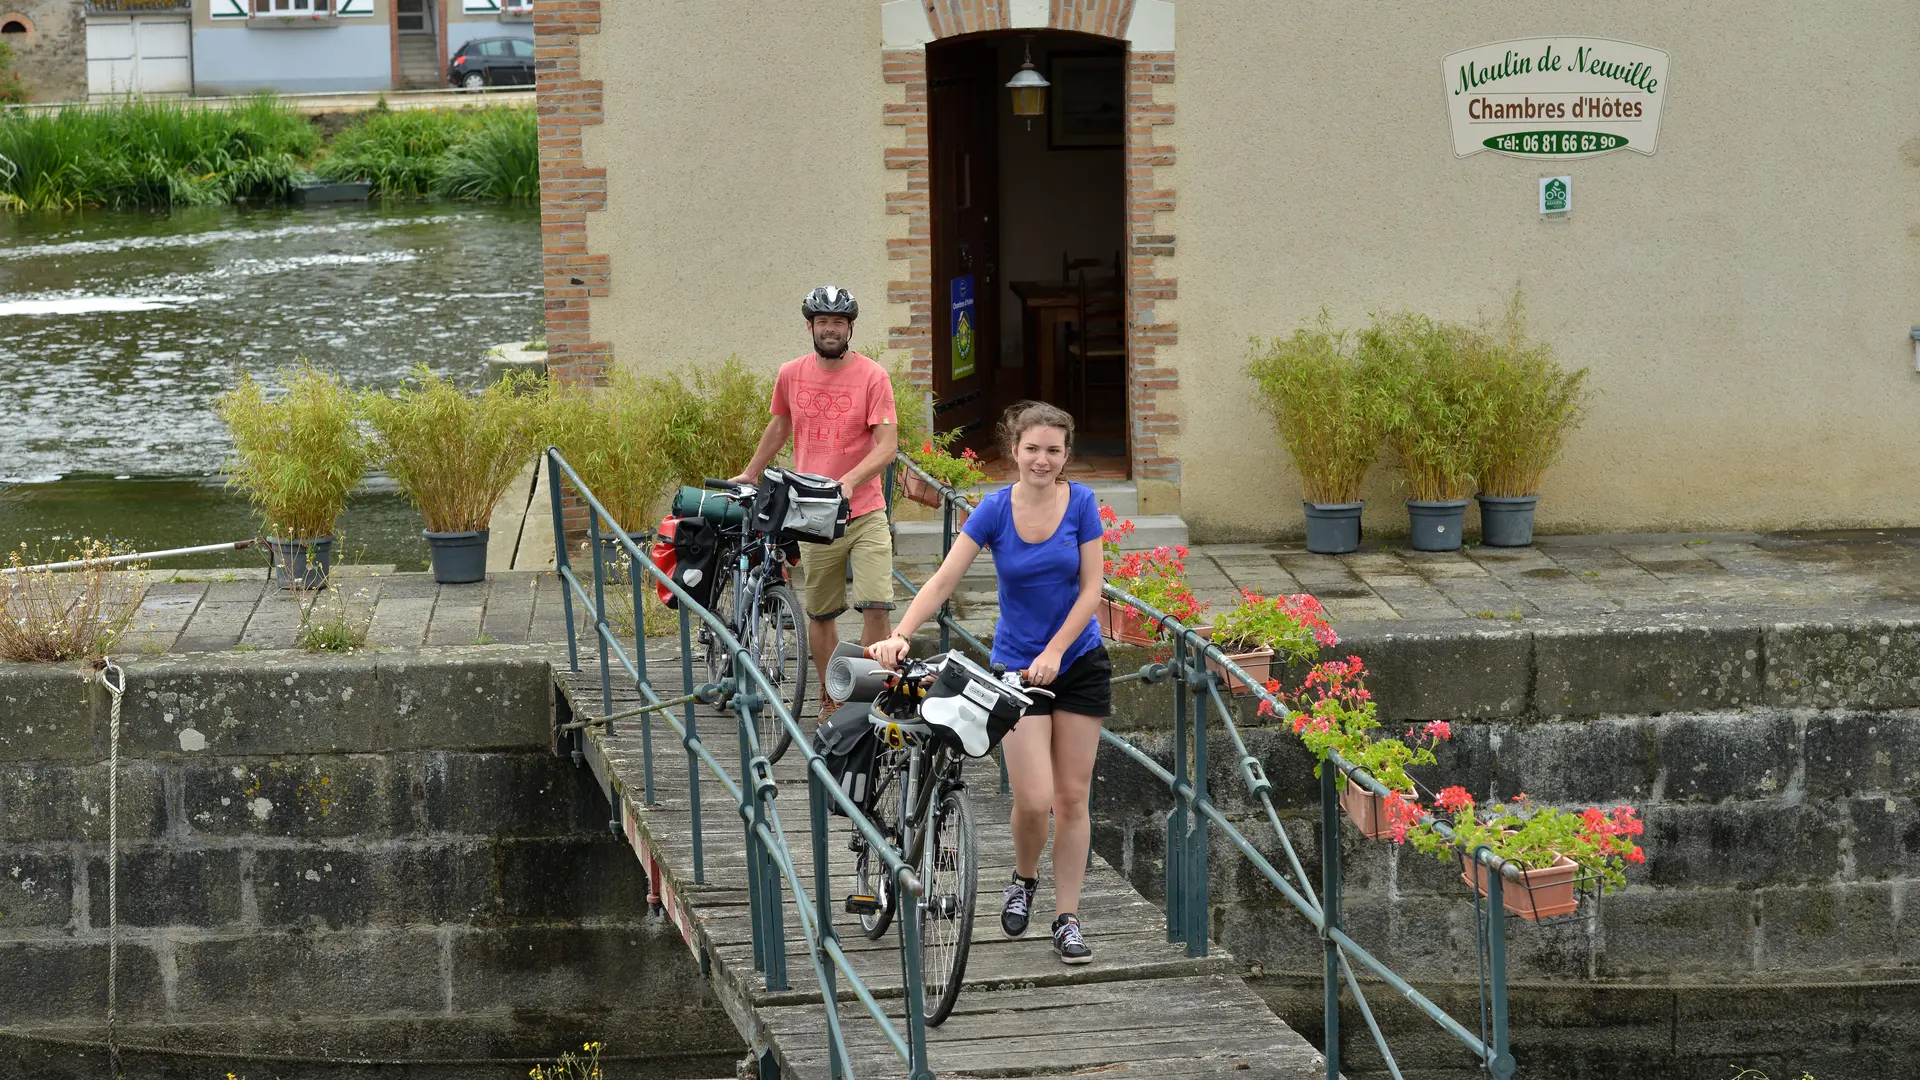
x=1141, y=1010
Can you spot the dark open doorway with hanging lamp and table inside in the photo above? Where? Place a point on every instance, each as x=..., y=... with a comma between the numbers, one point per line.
x=1028, y=226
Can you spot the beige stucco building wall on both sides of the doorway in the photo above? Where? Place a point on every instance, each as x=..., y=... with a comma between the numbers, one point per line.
x=1744, y=297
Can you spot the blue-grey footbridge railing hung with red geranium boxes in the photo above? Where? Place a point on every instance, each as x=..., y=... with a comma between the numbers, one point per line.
x=1197, y=672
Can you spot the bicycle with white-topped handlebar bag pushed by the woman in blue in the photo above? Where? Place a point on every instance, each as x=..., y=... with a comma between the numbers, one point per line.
x=928, y=718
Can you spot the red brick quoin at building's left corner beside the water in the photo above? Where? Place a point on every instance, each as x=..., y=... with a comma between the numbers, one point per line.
x=569, y=191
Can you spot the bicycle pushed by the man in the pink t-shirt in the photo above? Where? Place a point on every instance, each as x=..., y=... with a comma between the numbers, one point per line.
x=752, y=577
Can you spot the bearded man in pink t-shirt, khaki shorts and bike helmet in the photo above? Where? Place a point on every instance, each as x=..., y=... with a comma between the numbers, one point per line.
x=838, y=408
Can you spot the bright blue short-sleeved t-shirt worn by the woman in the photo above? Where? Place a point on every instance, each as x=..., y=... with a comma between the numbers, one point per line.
x=1040, y=583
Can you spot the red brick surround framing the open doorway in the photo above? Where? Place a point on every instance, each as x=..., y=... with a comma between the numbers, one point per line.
x=1149, y=210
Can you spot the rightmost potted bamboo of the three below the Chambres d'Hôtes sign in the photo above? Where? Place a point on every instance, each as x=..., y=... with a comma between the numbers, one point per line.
x=1533, y=405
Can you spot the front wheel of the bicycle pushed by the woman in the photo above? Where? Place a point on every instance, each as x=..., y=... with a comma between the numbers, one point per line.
x=951, y=873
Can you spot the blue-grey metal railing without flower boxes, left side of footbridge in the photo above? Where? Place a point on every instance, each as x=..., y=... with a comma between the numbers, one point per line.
x=752, y=789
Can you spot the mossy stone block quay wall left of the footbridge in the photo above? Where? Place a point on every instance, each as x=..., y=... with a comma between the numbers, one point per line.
x=327, y=858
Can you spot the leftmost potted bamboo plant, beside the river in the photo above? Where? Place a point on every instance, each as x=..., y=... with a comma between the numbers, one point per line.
x=297, y=460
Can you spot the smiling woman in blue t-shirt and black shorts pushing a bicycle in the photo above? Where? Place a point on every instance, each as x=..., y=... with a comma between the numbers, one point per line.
x=1045, y=539
